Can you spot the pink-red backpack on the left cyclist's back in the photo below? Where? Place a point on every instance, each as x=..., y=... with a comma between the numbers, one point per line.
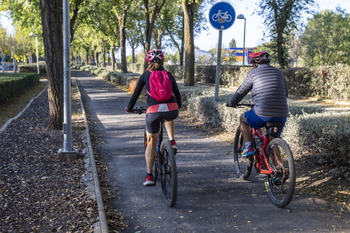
x=160, y=86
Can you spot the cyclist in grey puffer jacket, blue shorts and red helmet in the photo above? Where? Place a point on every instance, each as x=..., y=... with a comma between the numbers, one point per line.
x=269, y=92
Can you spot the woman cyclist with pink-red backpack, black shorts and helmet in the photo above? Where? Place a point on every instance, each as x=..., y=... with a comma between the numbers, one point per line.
x=157, y=111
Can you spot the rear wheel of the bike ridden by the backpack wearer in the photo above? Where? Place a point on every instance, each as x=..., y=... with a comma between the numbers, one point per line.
x=169, y=172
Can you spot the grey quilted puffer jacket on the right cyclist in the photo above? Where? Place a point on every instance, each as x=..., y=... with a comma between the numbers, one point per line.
x=269, y=91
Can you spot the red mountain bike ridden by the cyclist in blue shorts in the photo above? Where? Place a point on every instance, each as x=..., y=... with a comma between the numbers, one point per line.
x=272, y=158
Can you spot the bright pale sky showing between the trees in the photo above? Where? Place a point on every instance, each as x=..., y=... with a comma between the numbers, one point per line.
x=254, y=24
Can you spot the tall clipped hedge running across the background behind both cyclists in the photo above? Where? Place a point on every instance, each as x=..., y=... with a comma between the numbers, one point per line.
x=328, y=82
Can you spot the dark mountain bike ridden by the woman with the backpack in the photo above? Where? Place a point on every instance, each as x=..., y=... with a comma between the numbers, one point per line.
x=164, y=163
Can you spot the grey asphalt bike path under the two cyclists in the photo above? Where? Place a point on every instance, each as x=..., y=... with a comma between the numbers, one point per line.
x=210, y=196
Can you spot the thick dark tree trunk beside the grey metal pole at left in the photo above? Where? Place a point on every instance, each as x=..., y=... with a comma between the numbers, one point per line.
x=52, y=21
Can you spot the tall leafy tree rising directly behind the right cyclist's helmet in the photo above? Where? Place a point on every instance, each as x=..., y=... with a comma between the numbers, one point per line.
x=281, y=17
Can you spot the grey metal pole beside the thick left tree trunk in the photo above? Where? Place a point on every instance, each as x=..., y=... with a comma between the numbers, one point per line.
x=67, y=124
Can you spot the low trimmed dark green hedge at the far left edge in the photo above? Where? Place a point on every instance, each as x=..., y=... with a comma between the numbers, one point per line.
x=12, y=84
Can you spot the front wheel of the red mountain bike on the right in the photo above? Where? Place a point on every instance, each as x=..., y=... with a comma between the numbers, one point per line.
x=243, y=165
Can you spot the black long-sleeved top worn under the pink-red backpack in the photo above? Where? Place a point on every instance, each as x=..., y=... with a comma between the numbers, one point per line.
x=144, y=81
